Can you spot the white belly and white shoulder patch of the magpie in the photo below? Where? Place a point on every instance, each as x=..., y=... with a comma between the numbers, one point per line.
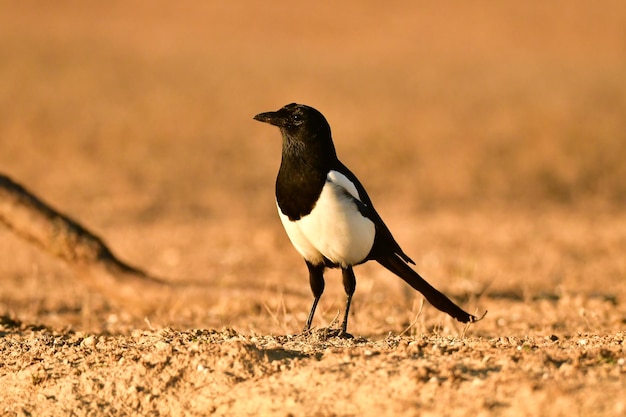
x=335, y=228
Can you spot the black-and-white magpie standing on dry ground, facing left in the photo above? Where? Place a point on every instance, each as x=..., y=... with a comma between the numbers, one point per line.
x=328, y=216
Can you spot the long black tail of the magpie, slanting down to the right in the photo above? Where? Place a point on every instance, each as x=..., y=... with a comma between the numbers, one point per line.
x=436, y=298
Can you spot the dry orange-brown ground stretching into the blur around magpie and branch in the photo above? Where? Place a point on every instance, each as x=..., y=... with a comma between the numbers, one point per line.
x=491, y=137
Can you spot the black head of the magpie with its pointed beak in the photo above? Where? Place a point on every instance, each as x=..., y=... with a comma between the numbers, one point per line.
x=301, y=125
